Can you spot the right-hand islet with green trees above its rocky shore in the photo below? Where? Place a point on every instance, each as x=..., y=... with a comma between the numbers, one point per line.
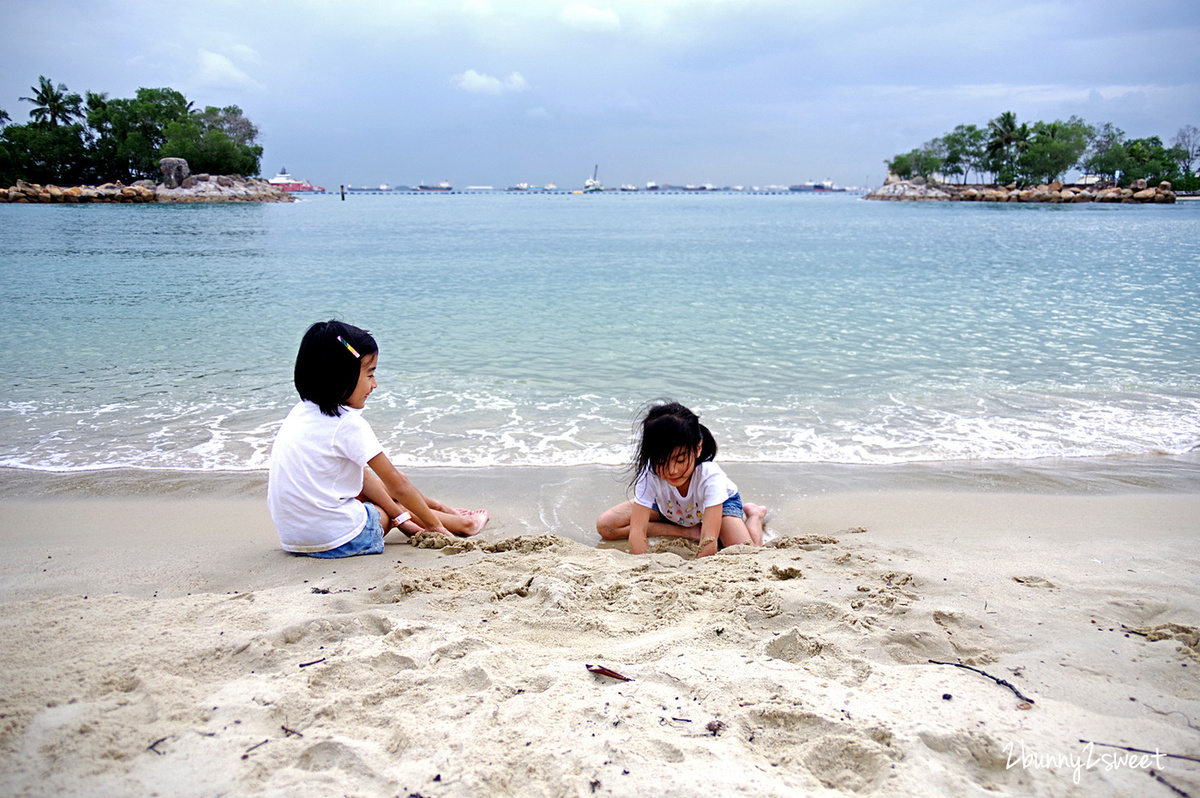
x=1028, y=163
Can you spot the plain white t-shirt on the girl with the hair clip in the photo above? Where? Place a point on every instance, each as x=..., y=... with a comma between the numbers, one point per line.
x=316, y=477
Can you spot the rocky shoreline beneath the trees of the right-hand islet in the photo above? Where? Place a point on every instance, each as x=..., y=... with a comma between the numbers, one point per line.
x=1053, y=193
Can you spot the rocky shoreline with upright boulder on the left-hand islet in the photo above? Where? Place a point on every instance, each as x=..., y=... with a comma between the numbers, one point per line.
x=179, y=185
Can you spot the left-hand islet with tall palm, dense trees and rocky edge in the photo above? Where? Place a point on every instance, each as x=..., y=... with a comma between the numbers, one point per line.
x=115, y=149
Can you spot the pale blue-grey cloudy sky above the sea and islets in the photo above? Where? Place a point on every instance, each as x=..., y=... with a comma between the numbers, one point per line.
x=723, y=92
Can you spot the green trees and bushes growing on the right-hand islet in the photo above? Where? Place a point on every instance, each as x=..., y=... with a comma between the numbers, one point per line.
x=1041, y=153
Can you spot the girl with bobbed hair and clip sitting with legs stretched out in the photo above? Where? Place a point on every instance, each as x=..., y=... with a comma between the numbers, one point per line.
x=332, y=491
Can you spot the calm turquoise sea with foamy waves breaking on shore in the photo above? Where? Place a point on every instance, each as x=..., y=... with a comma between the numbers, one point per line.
x=526, y=331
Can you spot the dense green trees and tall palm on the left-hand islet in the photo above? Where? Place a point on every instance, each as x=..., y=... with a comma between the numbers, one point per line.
x=89, y=140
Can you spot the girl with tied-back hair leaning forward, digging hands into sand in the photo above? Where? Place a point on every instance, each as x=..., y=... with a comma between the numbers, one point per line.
x=679, y=490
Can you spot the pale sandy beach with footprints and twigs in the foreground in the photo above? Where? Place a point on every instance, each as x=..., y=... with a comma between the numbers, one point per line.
x=157, y=641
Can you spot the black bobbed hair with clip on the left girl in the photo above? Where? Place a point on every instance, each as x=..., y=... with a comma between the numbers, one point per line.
x=328, y=369
